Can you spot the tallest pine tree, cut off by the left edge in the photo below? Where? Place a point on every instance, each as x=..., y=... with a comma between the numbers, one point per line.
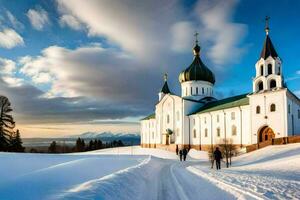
x=7, y=123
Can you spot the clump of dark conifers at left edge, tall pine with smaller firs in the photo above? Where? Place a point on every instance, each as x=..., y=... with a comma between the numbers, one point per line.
x=10, y=140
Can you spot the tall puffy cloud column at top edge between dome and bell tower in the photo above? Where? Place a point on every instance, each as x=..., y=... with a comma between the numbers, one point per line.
x=217, y=28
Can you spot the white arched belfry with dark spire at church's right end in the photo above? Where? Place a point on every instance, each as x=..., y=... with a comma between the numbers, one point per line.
x=268, y=67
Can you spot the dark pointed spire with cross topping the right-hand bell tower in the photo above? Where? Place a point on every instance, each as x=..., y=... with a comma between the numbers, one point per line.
x=268, y=48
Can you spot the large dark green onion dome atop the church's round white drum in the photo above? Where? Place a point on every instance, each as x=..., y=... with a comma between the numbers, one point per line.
x=197, y=71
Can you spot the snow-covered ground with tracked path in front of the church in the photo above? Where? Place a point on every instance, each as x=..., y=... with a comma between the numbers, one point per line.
x=137, y=173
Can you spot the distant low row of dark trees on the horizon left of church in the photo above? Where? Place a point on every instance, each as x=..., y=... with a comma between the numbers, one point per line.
x=82, y=146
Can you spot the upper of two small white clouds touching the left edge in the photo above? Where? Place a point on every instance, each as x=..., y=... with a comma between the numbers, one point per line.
x=9, y=38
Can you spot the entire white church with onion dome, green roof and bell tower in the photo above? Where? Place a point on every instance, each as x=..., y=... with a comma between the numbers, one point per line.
x=196, y=119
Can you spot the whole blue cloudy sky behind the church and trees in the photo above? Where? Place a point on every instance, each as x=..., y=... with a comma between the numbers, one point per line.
x=72, y=66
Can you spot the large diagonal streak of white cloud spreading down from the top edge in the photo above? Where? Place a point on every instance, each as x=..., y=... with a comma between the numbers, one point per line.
x=142, y=29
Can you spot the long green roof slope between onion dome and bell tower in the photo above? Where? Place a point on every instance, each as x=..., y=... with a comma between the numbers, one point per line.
x=230, y=102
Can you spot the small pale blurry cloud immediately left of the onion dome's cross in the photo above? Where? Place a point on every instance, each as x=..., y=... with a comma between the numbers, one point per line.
x=182, y=33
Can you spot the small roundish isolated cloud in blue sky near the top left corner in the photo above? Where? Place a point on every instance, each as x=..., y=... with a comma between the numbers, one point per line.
x=38, y=18
